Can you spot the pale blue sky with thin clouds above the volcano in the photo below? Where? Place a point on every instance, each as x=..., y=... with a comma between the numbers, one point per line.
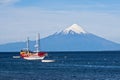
x=22, y=18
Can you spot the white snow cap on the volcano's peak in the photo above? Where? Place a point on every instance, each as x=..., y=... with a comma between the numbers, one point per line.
x=74, y=29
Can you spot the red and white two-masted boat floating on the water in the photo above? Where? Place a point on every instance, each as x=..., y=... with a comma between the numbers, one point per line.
x=29, y=55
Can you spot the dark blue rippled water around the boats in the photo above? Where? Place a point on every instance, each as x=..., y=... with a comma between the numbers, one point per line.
x=67, y=66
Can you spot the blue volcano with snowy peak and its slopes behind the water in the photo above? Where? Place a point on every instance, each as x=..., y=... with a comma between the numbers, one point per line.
x=73, y=38
